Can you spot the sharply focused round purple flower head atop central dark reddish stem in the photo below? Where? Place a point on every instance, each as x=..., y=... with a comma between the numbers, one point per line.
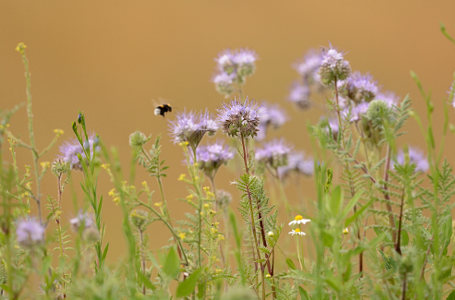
x=239, y=119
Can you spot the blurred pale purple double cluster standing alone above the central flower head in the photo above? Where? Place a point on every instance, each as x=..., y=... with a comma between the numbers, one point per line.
x=233, y=66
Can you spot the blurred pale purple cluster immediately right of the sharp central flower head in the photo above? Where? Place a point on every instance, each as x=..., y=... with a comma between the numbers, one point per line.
x=269, y=116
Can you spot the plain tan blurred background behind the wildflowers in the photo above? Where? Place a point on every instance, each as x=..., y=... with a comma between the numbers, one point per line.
x=110, y=59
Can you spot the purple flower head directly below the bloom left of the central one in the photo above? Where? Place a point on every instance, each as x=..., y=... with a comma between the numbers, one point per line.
x=211, y=157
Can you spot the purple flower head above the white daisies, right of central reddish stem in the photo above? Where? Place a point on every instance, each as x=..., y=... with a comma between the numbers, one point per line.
x=274, y=153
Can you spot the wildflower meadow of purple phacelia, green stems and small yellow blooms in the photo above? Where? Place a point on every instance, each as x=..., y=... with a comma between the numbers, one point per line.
x=378, y=226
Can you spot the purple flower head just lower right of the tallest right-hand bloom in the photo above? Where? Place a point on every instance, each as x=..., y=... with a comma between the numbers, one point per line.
x=359, y=87
